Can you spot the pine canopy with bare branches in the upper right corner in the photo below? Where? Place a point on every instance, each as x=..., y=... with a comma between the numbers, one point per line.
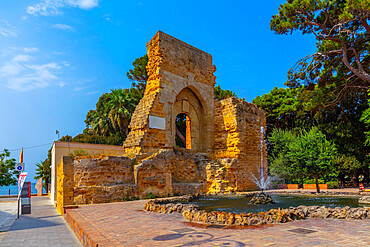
x=341, y=28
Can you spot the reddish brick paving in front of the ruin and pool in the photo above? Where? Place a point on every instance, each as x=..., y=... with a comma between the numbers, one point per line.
x=127, y=224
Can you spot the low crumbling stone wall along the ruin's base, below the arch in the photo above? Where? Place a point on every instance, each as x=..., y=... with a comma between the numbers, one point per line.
x=168, y=172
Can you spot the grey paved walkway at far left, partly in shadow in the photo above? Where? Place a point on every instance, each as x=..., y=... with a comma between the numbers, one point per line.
x=43, y=227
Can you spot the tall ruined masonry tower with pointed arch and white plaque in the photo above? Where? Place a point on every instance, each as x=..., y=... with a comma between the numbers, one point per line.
x=180, y=80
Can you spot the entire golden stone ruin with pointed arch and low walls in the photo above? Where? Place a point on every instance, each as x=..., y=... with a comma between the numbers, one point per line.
x=223, y=140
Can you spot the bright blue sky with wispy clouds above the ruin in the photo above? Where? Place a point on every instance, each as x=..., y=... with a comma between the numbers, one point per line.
x=58, y=56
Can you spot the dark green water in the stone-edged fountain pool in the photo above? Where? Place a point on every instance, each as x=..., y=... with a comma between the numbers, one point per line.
x=241, y=204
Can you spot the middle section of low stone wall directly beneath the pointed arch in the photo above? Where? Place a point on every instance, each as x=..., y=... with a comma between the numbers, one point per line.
x=169, y=172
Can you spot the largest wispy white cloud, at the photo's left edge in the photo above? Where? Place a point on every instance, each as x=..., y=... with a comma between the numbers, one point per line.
x=22, y=72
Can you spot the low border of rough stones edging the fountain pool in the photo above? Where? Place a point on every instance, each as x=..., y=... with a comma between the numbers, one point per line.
x=192, y=213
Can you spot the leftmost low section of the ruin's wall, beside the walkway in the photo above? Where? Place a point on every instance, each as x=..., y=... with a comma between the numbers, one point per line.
x=94, y=180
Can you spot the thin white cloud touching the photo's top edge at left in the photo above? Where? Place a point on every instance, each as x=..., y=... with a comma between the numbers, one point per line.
x=53, y=7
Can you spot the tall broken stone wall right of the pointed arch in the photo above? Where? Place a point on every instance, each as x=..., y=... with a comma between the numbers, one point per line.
x=238, y=135
